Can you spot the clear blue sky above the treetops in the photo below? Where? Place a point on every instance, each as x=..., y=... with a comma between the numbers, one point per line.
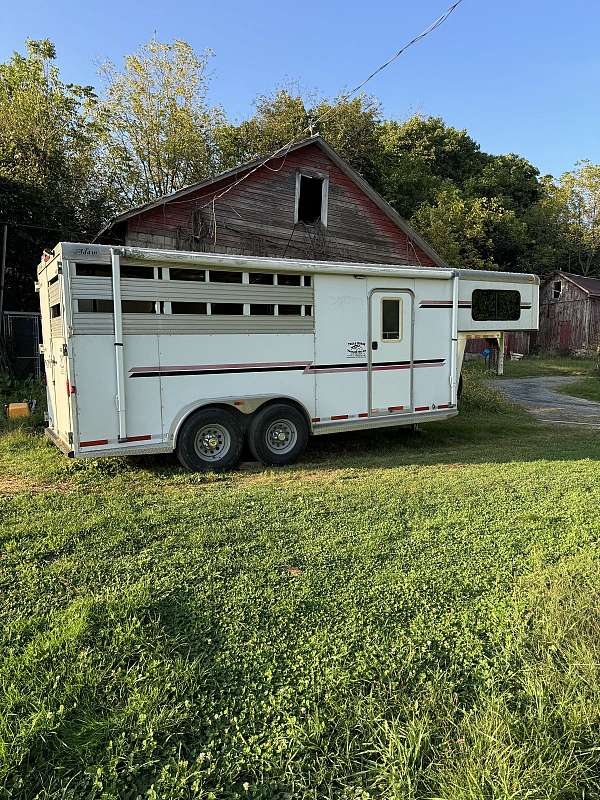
x=521, y=77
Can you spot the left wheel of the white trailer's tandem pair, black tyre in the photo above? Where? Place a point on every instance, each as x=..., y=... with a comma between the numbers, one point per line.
x=210, y=439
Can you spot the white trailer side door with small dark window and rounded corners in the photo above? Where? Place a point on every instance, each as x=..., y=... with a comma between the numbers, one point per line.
x=390, y=351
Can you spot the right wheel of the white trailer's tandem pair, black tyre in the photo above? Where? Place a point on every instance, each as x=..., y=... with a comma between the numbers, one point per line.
x=278, y=434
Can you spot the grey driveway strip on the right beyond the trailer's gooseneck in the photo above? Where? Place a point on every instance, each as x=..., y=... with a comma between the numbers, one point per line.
x=539, y=396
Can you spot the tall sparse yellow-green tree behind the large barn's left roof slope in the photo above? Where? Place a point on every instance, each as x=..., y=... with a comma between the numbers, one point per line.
x=159, y=126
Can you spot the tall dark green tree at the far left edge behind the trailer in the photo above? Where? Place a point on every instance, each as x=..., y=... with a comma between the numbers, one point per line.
x=52, y=184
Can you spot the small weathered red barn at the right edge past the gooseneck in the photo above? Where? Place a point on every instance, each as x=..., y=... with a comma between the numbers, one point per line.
x=569, y=313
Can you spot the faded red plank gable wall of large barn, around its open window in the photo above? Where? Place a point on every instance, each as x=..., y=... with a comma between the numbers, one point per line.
x=256, y=217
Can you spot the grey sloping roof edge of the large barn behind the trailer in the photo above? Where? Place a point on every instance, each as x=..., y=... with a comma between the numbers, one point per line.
x=318, y=140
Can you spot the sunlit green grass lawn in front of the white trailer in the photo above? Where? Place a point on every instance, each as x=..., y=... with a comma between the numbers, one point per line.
x=401, y=616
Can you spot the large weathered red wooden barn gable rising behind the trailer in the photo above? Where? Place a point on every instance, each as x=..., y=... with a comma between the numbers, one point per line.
x=308, y=203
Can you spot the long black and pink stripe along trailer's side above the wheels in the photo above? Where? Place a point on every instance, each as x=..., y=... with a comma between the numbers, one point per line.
x=285, y=366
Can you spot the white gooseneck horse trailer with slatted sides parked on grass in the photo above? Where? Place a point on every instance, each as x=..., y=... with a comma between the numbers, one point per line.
x=154, y=351
